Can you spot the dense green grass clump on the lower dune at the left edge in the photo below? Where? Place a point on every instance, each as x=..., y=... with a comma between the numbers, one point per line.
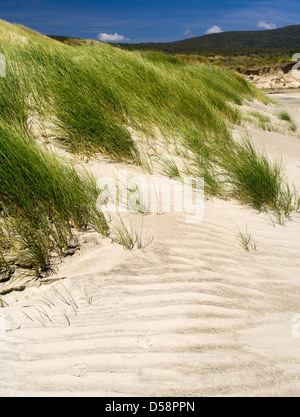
x=42, y=201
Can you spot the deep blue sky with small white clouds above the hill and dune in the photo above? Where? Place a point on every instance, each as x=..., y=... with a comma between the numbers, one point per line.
x=146, y=21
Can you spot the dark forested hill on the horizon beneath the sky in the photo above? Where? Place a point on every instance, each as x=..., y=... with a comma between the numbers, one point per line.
x=243, y=42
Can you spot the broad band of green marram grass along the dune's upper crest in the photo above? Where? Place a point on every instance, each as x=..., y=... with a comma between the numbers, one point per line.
x=95, y=93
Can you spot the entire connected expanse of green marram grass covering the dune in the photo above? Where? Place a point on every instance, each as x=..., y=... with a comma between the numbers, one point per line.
x=94, y=94
